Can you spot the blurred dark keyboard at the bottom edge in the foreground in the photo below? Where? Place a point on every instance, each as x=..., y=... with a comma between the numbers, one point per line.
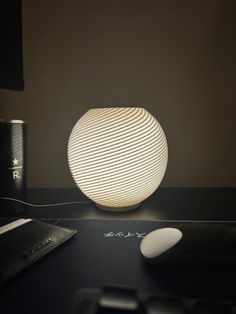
x=124, y=301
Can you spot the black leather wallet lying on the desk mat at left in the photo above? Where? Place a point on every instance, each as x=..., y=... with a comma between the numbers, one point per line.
x=24, y=241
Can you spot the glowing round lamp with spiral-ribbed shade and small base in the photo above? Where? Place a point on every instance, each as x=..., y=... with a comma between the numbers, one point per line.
x=117, y=156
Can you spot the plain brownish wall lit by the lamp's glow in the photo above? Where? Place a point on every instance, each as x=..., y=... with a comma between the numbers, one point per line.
x=175, y=58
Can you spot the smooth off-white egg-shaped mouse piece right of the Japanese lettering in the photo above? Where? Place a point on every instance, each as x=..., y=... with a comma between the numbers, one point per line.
x=159, y=241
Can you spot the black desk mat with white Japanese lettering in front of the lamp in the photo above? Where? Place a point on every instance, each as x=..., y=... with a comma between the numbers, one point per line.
x=105, y=253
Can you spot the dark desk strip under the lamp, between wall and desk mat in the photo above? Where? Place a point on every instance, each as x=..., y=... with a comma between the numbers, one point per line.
x=164, y=204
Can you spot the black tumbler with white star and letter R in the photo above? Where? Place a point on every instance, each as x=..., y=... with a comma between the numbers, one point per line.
x=12, y=167
